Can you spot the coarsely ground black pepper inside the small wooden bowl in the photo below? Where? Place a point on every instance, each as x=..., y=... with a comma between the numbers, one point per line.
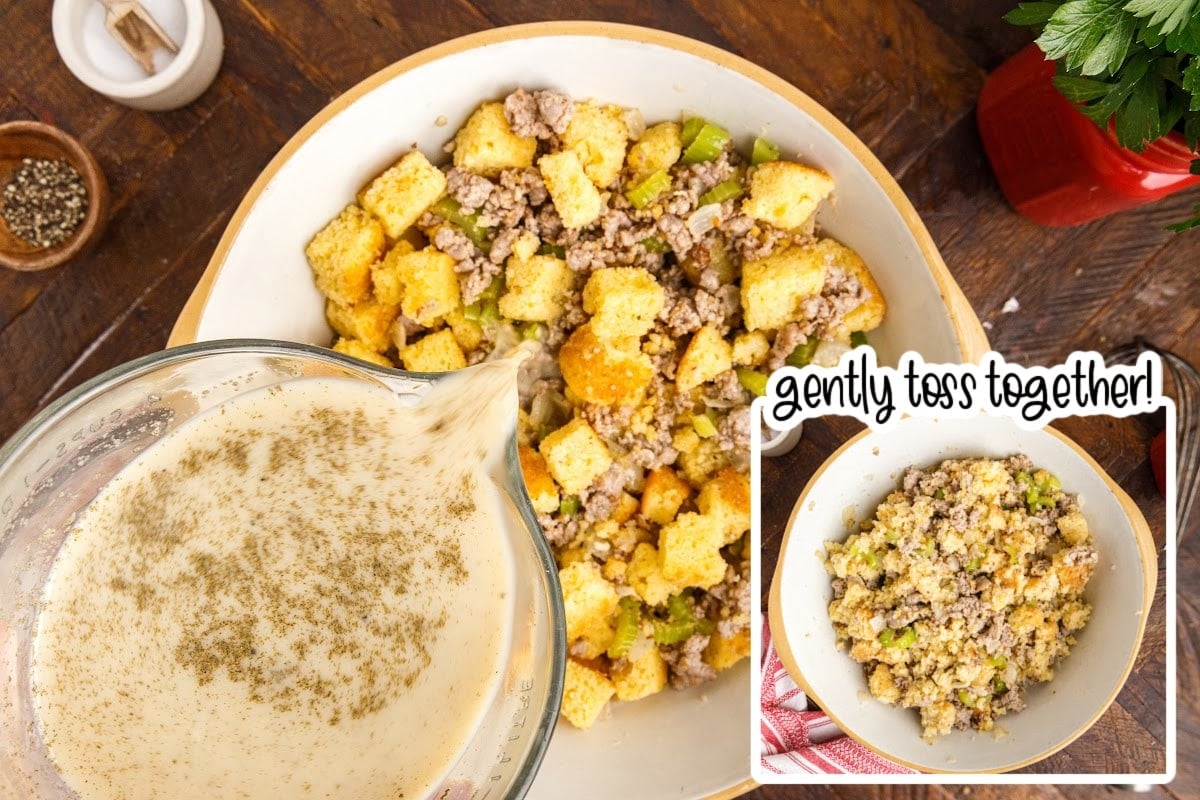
x=45, y=202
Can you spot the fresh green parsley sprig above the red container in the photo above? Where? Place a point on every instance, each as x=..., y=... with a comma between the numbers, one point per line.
x=1136, y=63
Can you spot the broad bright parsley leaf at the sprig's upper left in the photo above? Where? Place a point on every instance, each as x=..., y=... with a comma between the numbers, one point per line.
x=1077, y=29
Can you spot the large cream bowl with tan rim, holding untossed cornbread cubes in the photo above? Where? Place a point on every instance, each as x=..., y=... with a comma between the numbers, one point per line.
x=677, y=744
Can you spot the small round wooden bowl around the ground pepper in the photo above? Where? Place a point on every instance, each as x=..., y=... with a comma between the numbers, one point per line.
x=31, y=140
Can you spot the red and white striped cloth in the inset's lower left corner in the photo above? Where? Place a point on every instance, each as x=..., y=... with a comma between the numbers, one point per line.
x=796, y=739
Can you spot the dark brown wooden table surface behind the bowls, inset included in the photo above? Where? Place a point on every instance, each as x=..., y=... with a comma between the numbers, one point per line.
x=904, y=75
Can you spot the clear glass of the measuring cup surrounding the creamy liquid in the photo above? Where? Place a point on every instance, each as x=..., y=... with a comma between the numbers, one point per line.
x=58, y=462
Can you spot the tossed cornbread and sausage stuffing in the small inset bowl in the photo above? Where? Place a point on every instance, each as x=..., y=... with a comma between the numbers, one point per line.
x=964, y=590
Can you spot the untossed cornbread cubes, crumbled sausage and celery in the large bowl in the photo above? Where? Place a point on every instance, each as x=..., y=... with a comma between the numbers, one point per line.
x=659, y=275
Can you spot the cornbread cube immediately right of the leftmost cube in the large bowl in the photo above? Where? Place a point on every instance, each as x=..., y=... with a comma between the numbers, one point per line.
x=425, y=281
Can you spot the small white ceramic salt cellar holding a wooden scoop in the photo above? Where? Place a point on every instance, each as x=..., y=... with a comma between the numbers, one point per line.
x=100, y=63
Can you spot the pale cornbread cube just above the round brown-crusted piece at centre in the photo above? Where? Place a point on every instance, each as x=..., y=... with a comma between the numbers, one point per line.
x=623, y=302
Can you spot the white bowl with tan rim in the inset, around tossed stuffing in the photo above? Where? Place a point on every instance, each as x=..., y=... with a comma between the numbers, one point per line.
x=849, y=488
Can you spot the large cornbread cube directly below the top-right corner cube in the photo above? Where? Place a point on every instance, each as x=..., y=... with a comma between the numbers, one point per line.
x=775, y=287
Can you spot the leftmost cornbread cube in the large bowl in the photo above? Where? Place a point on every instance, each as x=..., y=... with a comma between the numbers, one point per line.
x=343, y=252
